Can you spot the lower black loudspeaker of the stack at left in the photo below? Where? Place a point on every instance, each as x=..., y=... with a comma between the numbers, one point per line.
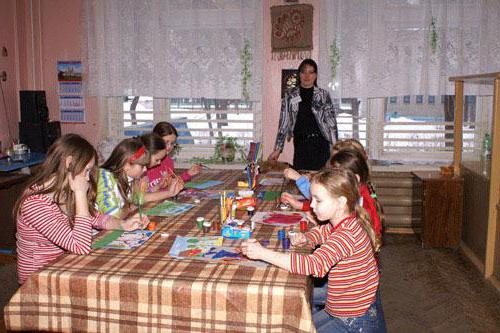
x=39, y=136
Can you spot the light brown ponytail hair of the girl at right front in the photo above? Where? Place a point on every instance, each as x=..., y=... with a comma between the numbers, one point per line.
x=341, y=182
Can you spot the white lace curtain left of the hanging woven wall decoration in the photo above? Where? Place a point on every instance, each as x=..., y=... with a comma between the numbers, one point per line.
x=171, y=48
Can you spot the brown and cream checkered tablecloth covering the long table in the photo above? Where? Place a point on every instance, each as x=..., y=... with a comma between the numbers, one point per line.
x=146, y=290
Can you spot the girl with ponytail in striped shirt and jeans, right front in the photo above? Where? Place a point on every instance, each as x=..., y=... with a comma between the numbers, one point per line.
x=345, y=253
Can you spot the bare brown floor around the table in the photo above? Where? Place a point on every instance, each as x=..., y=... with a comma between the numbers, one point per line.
x=423, y=290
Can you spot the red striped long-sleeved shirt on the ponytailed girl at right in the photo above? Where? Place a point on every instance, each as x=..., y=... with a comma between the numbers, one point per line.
x=346, y=253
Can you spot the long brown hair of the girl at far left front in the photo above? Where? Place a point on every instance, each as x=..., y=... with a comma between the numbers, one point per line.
x=54, y=172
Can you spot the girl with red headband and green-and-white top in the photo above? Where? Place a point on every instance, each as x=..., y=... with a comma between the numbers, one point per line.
x=126, y=164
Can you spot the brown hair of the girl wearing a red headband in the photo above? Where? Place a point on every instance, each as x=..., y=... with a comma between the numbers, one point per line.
x=125, y=152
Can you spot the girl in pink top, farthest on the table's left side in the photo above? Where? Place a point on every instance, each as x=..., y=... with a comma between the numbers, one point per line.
x=170, y=185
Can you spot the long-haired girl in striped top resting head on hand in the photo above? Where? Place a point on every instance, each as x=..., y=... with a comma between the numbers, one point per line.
x=56, y=211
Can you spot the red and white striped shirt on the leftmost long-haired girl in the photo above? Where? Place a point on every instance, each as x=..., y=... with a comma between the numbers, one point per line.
x=44, y=233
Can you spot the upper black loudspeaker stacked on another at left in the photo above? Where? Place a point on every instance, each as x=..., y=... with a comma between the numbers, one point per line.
x=33, y=106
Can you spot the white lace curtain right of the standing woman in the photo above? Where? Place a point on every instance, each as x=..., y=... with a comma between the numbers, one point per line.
x=386, y=46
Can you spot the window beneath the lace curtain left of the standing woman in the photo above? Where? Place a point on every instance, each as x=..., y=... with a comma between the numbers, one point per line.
x=199, y=121
